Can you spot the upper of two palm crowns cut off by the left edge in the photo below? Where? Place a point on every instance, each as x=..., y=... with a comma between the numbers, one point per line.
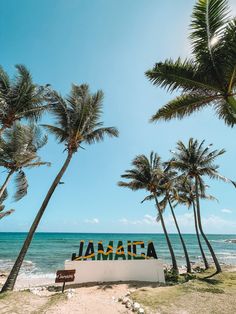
x=19, y=98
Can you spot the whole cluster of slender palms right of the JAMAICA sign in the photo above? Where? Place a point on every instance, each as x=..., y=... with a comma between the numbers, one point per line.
x=179, y=180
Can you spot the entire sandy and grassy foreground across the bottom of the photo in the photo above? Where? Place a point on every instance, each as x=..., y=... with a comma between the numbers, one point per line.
x=196, y=296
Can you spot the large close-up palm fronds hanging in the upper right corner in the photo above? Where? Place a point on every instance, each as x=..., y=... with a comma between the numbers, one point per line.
x=209, y=77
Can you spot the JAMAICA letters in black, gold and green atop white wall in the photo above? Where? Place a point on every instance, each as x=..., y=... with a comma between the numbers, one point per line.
x=111, y=252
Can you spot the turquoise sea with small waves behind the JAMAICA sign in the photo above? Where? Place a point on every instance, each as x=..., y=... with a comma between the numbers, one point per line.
x=48, y=251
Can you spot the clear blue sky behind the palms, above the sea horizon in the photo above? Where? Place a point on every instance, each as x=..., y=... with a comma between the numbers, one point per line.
x=109, y=45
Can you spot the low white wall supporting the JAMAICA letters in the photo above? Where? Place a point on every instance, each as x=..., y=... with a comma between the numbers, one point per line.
x=119, y=270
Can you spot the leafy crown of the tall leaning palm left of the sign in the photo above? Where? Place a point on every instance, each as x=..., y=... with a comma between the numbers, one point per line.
x=77, y=118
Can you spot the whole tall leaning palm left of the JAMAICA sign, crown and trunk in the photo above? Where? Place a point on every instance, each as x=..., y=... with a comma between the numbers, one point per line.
x=77, y=121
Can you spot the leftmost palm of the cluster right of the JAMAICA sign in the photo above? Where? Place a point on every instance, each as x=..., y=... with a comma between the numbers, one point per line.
x=145, y=175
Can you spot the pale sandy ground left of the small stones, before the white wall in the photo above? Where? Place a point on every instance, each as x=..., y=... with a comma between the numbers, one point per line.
x=93, y=298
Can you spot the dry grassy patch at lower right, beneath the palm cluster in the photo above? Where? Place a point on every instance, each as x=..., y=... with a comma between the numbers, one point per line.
x=197, y=295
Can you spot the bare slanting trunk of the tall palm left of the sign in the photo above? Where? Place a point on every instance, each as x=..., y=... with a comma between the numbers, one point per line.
x=10, y=282
